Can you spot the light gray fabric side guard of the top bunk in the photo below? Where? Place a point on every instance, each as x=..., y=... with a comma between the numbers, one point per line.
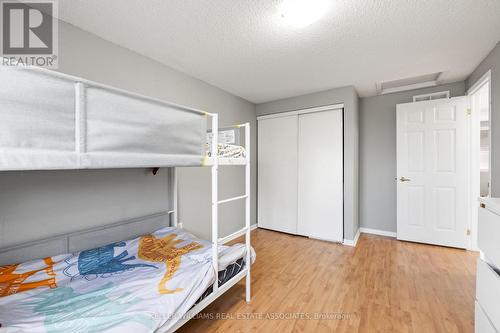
x=55, y=121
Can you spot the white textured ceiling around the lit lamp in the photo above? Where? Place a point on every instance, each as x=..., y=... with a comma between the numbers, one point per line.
x=246, y=48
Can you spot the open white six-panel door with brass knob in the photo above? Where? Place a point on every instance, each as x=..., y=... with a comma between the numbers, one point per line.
x=432, y=172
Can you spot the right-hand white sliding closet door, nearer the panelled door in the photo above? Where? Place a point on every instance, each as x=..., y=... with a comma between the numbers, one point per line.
x=320, y=174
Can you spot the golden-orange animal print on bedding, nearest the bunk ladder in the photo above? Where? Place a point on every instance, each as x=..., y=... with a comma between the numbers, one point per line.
x=165, y=250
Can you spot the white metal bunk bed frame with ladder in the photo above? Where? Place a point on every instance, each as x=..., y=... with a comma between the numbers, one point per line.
x=214, y=161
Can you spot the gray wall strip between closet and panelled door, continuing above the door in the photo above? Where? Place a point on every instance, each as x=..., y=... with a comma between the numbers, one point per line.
x=377, y=155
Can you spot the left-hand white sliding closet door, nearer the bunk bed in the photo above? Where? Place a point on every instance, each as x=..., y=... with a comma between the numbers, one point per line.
x=277, y=169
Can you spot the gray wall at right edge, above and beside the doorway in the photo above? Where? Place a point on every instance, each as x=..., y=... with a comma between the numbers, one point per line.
x=492, y=61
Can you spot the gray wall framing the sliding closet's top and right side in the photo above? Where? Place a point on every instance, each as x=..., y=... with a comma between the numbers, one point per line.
x=349, y=97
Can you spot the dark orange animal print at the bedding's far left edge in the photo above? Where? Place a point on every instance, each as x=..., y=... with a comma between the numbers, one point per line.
x=12, y=282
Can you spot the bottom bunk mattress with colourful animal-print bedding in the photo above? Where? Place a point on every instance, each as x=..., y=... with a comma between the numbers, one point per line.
x=149, y=283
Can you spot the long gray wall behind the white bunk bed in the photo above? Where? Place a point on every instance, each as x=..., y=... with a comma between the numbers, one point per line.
x=40, y=204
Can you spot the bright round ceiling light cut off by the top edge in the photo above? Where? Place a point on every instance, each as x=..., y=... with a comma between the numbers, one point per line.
x=301, y=13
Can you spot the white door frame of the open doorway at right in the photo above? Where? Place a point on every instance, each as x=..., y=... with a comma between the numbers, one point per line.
x=474, y=181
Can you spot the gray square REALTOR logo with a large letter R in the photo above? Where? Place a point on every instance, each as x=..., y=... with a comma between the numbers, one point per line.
x=29, y=33
